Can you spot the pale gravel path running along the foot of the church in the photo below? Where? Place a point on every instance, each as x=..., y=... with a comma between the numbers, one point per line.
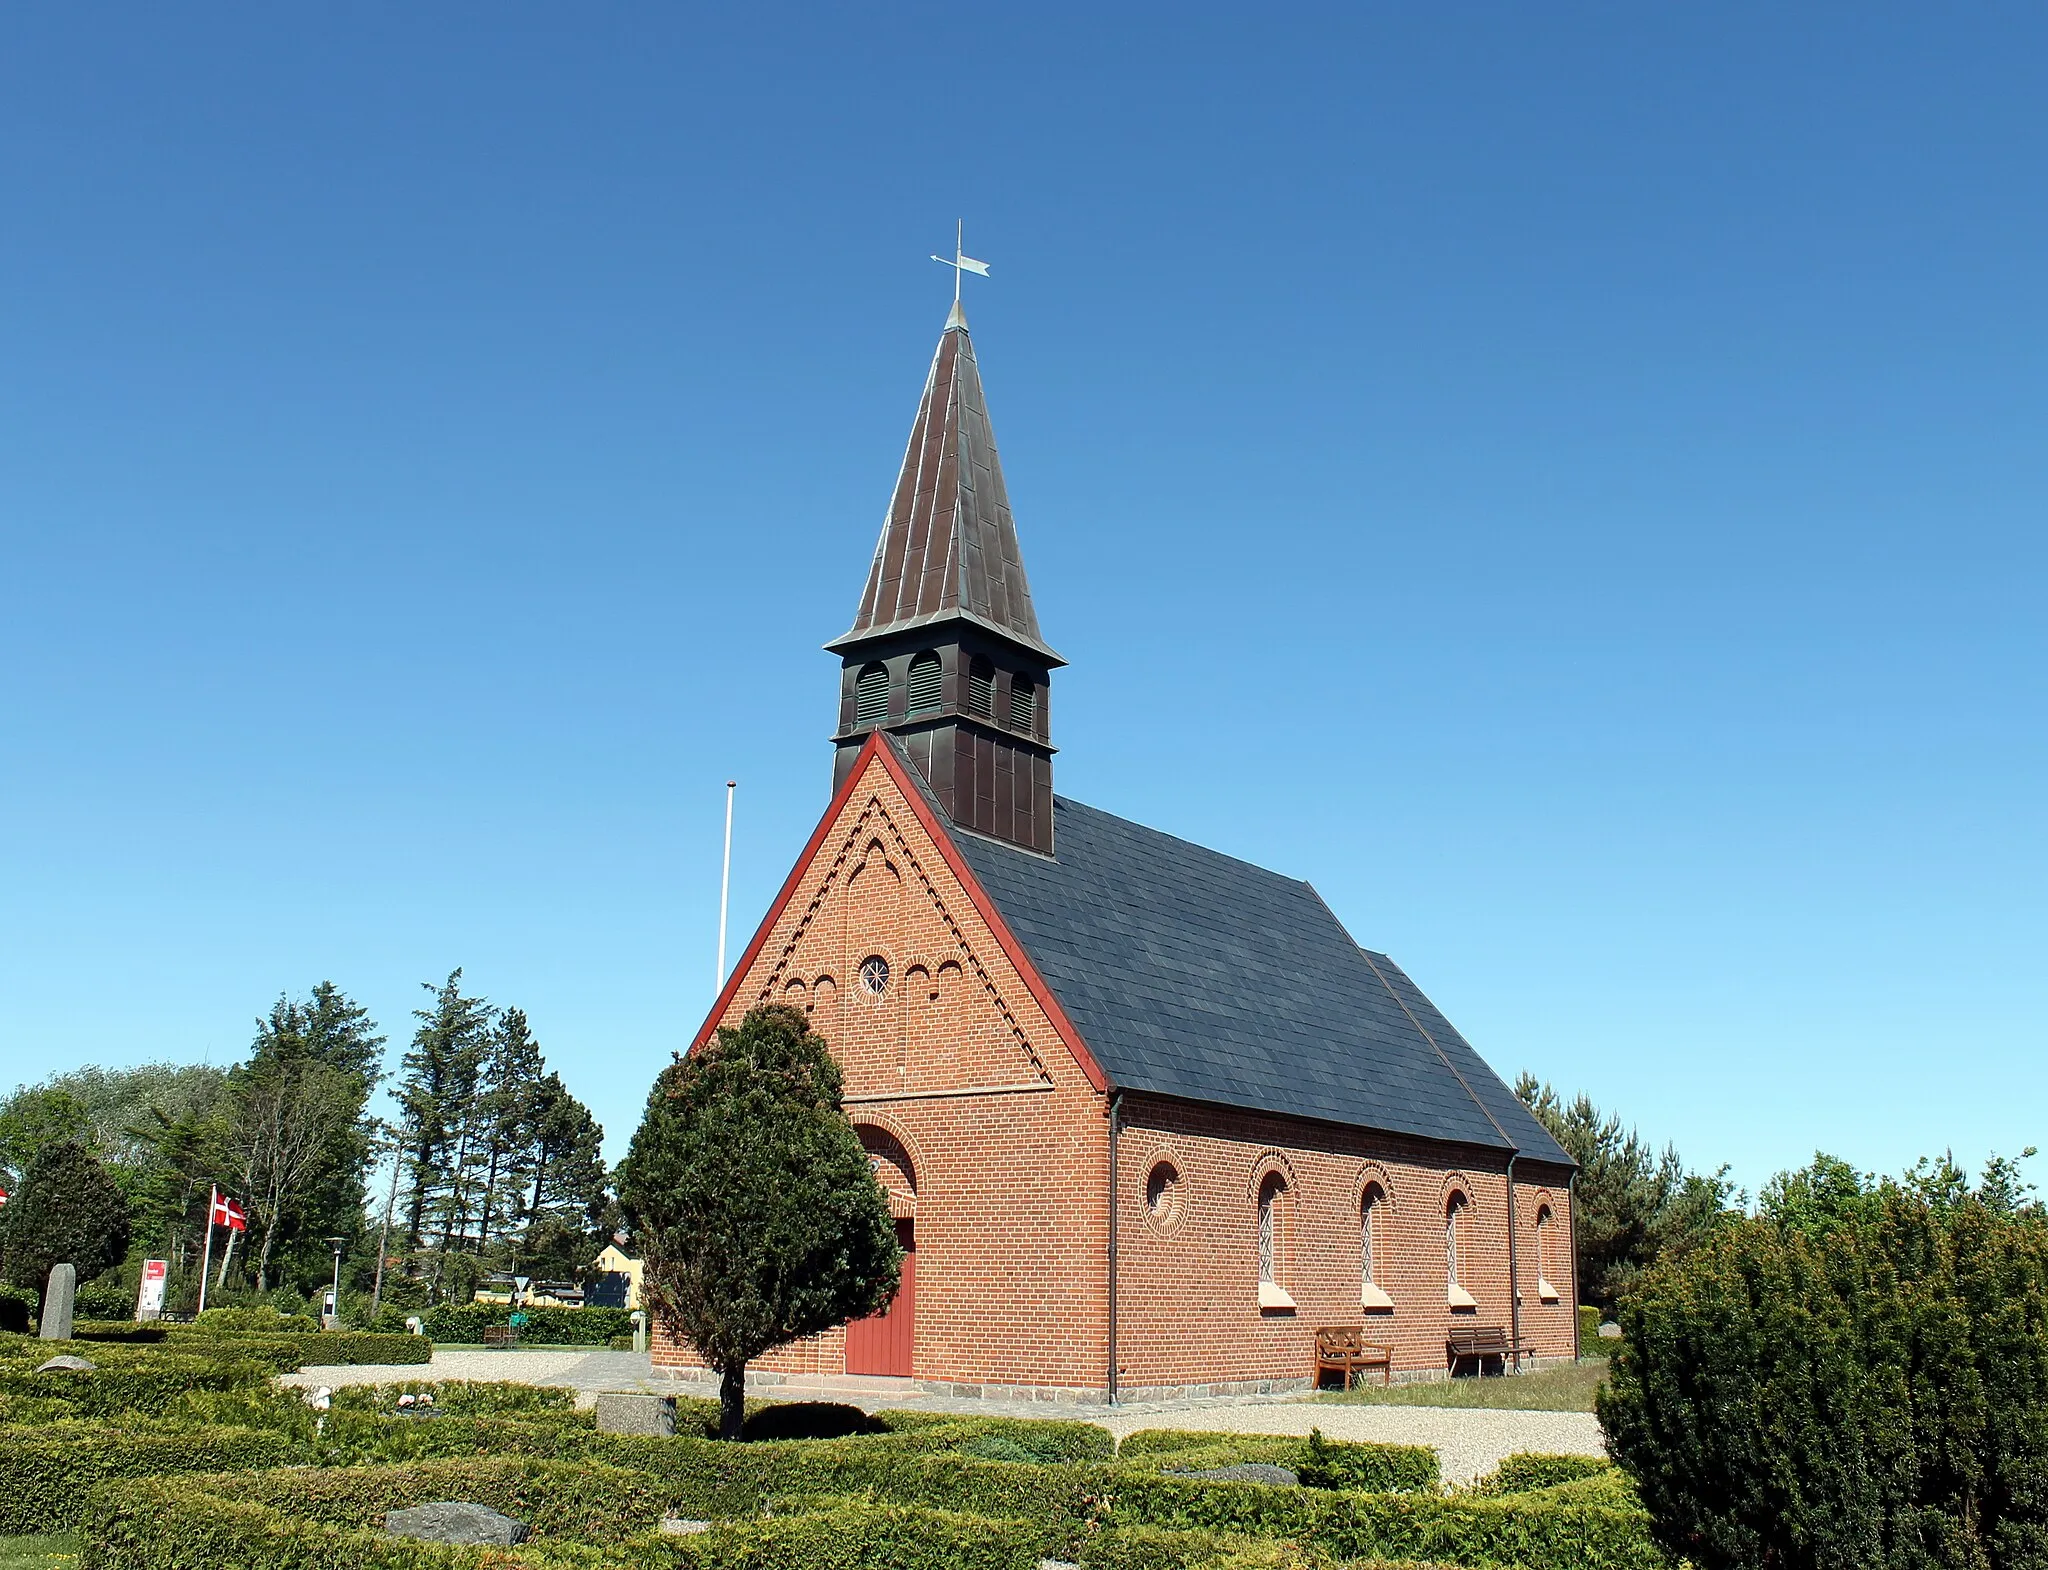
x=1469, y=1442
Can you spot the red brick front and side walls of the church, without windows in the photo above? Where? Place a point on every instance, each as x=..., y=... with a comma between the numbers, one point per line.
x=990, y=1135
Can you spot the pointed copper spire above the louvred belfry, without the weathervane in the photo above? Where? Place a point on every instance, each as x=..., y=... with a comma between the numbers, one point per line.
x=949, y=548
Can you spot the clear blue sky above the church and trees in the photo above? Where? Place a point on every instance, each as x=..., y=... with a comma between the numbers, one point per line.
x=1568, y=480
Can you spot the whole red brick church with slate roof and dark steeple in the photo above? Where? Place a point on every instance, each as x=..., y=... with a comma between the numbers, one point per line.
x=1148, y=1115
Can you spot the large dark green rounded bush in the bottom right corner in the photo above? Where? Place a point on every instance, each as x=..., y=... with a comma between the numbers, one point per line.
x=1871, y=1391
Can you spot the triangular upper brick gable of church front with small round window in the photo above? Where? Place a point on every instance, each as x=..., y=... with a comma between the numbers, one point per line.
x=884, y=945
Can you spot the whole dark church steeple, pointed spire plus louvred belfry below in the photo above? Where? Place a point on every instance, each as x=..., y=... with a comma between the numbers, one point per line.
x=945, y=650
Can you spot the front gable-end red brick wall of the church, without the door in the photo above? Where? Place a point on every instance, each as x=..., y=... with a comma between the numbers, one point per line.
x=986, y=1129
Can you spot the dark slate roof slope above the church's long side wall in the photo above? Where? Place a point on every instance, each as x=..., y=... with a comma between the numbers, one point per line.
x=1203, y=977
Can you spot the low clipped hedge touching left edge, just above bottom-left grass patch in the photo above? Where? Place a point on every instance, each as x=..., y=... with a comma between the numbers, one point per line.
x=46, y=1473
